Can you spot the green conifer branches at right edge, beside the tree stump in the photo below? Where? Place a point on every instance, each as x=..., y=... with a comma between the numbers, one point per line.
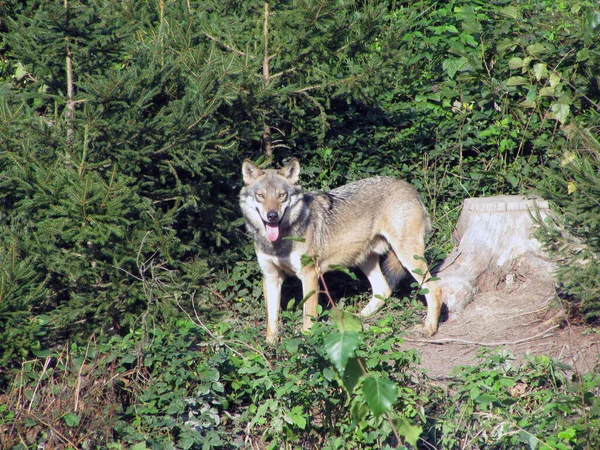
x=572, y=238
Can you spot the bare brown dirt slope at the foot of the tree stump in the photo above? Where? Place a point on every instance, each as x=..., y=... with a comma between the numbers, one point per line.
x=519, y=319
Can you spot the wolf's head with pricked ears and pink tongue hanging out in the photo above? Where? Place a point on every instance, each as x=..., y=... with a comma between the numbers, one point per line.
x=269, y=196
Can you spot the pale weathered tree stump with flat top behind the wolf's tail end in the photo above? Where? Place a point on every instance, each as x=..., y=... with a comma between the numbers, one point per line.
x=496, y=250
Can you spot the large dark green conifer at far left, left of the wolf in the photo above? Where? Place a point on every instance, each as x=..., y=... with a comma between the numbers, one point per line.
x=107, y=142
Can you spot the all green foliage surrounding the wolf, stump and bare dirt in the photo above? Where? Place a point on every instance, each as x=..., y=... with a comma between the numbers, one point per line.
x=122, y=125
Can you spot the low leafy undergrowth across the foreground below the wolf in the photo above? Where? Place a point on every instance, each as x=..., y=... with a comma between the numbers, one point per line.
x=217, y=385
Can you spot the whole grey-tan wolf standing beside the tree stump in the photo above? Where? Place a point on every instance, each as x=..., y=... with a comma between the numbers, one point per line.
x=350, y=226
